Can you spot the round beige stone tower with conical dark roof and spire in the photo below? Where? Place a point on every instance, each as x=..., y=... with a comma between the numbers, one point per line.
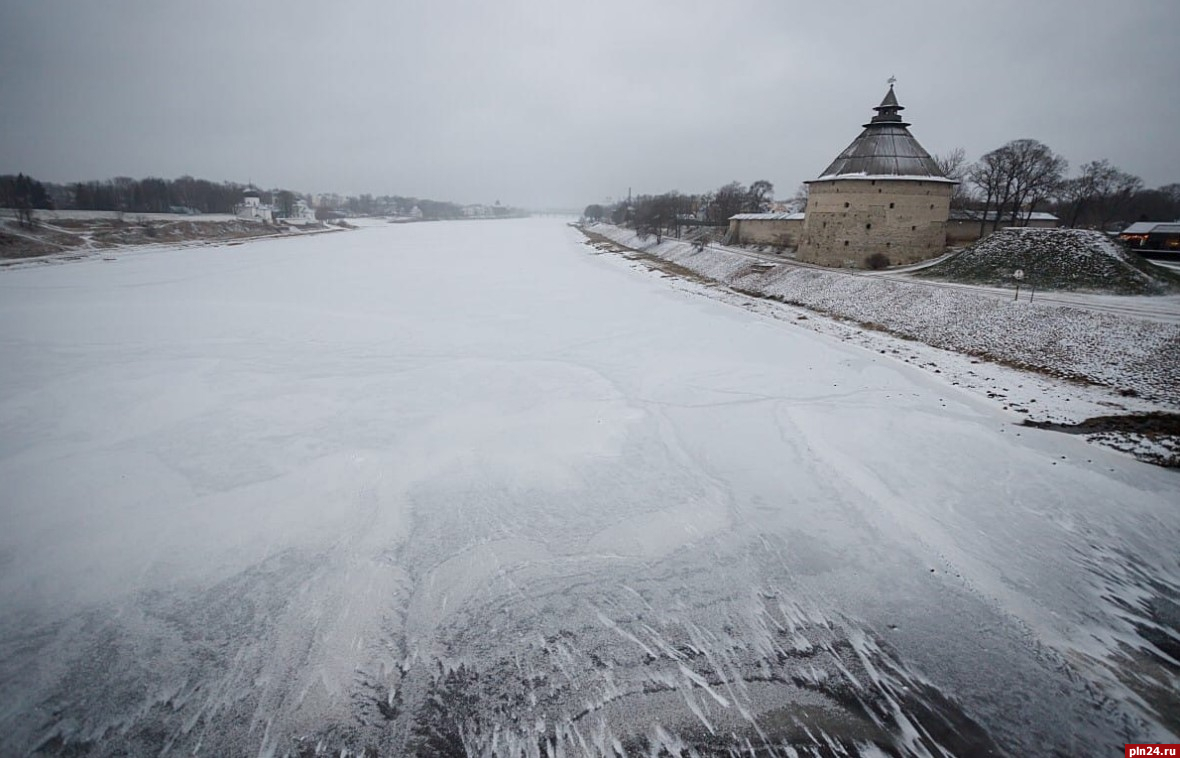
x=884, y=194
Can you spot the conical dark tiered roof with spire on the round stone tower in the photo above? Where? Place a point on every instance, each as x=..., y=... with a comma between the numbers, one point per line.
x=886, y=151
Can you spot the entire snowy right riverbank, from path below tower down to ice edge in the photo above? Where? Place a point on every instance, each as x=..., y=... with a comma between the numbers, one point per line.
x=999, y=350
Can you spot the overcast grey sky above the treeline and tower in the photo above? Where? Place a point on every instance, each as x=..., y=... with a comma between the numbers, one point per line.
x=561, y=104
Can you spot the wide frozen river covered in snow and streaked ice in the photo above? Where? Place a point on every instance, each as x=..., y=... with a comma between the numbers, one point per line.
x=468, y=488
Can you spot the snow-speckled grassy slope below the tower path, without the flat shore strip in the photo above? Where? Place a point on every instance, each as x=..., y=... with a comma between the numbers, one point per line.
x=1133, y=355
